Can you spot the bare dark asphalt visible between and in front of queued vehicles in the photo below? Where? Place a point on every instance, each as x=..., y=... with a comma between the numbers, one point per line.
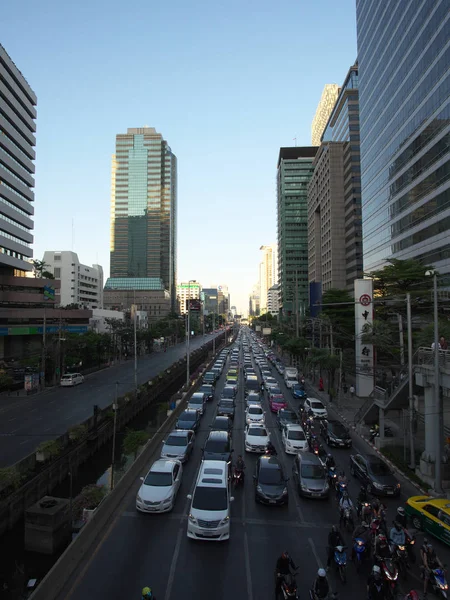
x=139, y=550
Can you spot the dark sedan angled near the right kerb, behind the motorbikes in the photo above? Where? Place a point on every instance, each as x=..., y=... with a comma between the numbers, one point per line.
x=375, y=474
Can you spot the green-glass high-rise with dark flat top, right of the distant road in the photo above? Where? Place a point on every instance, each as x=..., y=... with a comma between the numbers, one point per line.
x=295, y=168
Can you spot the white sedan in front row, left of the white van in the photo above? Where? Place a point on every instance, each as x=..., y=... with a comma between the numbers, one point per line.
x=160, y=486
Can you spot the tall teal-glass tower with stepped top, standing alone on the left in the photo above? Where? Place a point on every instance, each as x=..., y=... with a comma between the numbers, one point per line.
x=144, y=208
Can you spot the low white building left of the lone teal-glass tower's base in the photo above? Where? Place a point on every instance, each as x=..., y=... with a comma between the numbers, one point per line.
x=80, y=284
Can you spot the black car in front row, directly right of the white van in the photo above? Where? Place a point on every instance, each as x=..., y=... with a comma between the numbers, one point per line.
x=270, y=482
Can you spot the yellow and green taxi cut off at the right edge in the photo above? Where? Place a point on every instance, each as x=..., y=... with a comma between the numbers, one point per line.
x=431, y=515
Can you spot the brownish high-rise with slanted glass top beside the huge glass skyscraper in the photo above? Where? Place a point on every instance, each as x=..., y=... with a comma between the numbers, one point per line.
x=334, y=196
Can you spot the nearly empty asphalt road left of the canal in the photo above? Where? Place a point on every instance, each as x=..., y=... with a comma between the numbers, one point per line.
x=26, y=422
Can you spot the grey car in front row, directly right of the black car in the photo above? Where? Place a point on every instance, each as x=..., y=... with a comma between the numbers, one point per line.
x=309, y=476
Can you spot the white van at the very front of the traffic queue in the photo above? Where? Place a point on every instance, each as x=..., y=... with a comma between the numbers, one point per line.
x=209, y=514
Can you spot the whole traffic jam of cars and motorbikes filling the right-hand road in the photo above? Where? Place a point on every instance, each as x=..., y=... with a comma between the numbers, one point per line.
x=260, y=491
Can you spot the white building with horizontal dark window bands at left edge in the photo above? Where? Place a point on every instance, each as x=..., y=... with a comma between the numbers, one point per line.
x=17, y=141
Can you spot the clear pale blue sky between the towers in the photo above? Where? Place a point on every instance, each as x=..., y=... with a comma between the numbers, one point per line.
x=225, y=83
